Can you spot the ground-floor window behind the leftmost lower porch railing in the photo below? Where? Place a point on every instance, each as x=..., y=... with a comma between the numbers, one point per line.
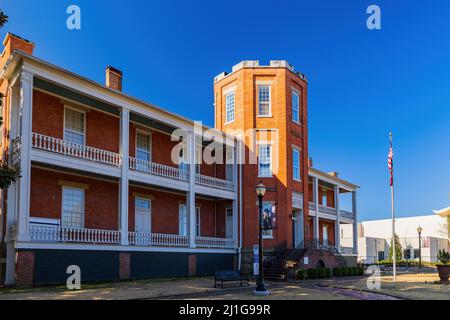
x=72, y=208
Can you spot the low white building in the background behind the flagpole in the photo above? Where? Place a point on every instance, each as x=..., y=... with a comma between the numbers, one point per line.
x=374, y=237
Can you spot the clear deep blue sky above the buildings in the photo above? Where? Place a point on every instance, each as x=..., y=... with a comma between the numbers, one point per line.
x=362, y=83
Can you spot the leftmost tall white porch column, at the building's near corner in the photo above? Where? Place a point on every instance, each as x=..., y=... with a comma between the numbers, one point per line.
x=26, y=110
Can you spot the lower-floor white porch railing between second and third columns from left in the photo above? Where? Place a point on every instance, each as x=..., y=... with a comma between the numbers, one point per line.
x=157, y=239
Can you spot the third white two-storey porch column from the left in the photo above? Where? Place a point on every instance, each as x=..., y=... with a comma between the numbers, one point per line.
x=191, y=193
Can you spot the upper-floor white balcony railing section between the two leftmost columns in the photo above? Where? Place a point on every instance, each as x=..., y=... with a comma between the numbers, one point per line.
x=75, y=150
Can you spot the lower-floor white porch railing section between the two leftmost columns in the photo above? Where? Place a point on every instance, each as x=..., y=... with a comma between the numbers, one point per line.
x=48, y=233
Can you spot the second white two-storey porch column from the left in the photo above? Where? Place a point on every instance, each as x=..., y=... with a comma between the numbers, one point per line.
x=124, y=151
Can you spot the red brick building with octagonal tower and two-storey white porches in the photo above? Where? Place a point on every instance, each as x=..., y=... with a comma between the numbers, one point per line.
x=107, y=182
